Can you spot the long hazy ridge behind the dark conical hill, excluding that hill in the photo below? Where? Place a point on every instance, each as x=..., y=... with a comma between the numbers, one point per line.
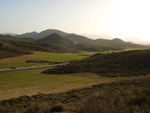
x=79, y=39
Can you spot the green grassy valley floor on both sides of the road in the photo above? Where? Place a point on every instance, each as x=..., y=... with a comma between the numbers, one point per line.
x=29, y=82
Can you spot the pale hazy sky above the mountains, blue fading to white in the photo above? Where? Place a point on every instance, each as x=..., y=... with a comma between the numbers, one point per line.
x=117, y=18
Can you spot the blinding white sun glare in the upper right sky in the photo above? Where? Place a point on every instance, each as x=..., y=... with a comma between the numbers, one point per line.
x=132, y=19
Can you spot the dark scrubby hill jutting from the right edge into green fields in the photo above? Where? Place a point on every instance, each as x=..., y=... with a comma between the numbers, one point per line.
x=116, y=64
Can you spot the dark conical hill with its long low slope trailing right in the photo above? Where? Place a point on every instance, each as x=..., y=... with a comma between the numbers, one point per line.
x=61, y=44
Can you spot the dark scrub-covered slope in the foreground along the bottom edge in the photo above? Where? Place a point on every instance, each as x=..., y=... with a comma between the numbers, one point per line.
x=126, y=96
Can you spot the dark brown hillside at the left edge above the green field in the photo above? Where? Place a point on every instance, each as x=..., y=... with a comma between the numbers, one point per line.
x=11, y=46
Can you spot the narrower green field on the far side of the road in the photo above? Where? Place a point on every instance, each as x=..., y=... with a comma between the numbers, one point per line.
x=47, y=56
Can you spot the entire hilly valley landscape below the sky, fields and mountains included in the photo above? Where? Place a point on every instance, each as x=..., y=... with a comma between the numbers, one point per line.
x=66, y=70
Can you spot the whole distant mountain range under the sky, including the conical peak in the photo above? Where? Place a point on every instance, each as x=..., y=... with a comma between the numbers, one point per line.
x=60, y=37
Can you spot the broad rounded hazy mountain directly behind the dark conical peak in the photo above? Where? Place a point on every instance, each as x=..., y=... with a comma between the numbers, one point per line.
x=42, y=34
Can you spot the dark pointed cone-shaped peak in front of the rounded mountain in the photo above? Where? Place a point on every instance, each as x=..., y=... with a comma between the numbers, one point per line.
x=55, y=38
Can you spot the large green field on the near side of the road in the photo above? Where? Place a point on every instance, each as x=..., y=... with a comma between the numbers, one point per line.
x=29, y=82
